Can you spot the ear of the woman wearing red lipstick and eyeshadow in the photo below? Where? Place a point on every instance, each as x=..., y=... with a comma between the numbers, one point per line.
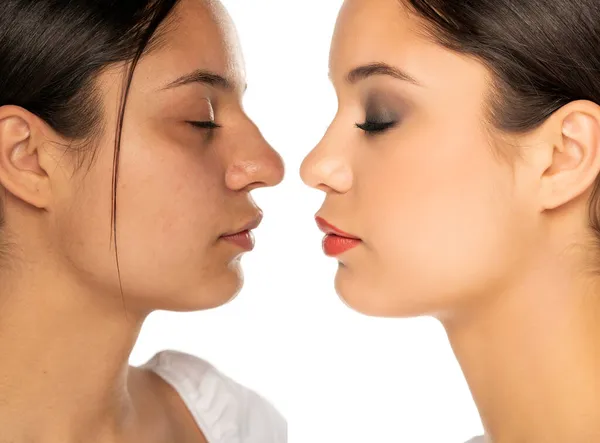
x=571, y=161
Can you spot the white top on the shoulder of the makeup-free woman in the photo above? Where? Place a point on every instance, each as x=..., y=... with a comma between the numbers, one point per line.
x=225, y=411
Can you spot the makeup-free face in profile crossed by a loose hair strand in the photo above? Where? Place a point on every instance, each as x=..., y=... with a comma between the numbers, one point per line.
x=189, y=157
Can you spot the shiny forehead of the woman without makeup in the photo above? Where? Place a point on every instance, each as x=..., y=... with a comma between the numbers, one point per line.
x=198, y=35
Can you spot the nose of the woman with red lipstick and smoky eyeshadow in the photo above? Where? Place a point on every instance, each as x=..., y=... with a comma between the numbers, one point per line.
x=326, y=168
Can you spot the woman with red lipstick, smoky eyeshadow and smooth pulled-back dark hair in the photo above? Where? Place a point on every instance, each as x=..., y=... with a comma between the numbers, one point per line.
x=461, y=174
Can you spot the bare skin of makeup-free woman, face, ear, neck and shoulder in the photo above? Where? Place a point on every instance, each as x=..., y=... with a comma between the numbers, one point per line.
x=66, y=329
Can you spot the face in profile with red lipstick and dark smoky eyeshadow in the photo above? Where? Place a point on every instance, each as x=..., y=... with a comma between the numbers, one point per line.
x=410, y=167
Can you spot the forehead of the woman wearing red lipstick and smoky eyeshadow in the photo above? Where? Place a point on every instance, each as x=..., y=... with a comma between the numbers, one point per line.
x=369, y=31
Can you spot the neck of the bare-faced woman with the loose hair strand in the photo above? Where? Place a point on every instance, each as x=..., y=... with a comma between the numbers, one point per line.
x=64, y=371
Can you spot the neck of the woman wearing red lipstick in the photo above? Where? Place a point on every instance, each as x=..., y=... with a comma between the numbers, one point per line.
x=531, y=357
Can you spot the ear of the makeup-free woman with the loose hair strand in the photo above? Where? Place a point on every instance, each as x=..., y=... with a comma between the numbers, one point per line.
x=21, y=141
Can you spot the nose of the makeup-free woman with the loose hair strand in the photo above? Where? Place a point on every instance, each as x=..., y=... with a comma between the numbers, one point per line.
x=255, y=165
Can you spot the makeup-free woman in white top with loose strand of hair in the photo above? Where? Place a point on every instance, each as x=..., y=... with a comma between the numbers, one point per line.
x=126, y=166
